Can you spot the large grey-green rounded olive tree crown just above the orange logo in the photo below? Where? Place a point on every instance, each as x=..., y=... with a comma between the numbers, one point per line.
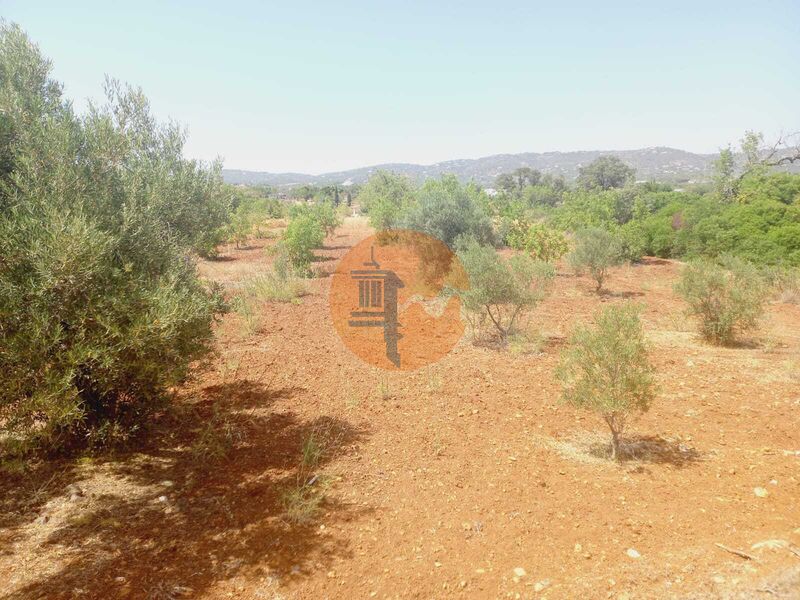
x=448, y=210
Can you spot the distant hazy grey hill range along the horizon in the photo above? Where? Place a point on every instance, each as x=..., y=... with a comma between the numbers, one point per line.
x=662, y=164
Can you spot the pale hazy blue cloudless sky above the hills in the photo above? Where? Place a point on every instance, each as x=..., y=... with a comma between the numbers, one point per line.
x=322, y=86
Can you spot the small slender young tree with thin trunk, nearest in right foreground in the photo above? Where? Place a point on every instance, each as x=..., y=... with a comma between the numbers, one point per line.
x=606, y=369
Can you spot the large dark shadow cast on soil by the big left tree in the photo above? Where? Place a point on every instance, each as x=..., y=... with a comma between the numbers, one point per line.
x=192, y=520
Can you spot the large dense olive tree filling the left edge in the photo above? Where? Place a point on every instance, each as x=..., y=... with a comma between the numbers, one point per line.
x=101, y=309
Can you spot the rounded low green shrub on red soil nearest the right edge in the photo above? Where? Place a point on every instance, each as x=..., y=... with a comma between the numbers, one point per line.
x=727, y=298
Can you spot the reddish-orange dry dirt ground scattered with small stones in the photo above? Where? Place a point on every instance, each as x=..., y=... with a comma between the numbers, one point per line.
x=465, y=478
